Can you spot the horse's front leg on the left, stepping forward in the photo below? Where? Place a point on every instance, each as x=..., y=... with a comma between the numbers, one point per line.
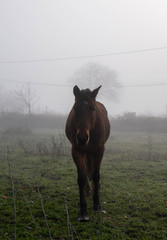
x=80, y=161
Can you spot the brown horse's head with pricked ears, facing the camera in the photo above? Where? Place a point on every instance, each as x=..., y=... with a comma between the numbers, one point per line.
x=84, y=108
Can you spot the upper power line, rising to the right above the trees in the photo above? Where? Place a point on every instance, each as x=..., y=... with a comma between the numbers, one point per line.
x=84, y=57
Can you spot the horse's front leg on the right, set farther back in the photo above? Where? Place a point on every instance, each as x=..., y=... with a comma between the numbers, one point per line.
x=96, y=178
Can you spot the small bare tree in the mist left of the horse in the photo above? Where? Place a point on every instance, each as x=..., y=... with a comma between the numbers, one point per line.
x=27, y=97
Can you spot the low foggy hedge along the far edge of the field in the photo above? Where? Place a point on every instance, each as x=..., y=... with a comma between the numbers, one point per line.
x=12, y=122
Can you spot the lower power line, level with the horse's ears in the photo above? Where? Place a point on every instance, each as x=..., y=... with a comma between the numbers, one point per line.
x=70, y=85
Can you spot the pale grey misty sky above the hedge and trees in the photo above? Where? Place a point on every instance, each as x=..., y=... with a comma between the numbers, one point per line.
x=56, y=29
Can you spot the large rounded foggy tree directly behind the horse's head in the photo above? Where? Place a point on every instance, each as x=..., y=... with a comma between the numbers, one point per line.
x=94, y=74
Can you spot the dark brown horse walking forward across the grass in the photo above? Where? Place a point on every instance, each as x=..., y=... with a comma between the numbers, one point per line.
x=88, y=129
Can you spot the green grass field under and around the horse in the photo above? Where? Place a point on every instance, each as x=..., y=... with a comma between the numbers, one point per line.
x=39, y=192
